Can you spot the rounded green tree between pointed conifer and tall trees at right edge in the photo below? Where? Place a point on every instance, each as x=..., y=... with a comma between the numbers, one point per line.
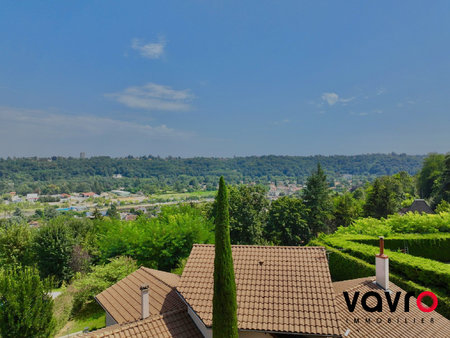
x=383, y=197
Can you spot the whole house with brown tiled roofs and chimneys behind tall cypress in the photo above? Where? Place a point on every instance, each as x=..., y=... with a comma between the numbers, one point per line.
x=281, y=292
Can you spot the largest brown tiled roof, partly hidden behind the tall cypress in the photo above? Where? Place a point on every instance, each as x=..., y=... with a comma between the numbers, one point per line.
x=279, y=289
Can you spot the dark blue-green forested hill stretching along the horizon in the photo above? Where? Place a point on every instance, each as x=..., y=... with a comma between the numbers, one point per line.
x=237, y=168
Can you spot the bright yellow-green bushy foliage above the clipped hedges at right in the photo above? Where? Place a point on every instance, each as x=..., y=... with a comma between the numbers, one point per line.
x=409, y=223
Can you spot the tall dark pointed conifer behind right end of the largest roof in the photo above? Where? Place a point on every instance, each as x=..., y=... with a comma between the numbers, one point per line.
x=317, y=200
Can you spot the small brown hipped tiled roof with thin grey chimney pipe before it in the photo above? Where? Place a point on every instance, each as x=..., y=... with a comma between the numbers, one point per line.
x=123, y=299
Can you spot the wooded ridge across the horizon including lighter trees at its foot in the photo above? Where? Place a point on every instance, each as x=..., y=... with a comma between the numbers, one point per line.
x=150, y=174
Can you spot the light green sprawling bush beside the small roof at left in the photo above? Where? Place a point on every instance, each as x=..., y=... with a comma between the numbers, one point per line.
x=102, y=277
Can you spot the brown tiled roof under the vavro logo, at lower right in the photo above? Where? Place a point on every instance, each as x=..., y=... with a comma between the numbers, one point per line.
x=397, y=327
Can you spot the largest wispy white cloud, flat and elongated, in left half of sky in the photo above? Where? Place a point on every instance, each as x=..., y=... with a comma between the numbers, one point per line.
x=154, y=96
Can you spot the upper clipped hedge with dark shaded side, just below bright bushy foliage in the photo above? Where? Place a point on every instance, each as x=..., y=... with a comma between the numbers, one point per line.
x=432, y=246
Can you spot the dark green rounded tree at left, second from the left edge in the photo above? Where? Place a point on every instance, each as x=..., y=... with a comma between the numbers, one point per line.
x=53, y=246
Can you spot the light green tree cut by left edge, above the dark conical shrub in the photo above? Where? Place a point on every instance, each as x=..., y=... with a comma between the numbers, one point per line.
x=16, y=245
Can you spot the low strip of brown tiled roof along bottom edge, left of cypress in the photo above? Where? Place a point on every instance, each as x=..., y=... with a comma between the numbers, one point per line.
x=171, y=324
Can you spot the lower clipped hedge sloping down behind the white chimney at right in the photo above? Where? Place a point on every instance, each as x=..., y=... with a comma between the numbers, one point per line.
x=344, y=267
